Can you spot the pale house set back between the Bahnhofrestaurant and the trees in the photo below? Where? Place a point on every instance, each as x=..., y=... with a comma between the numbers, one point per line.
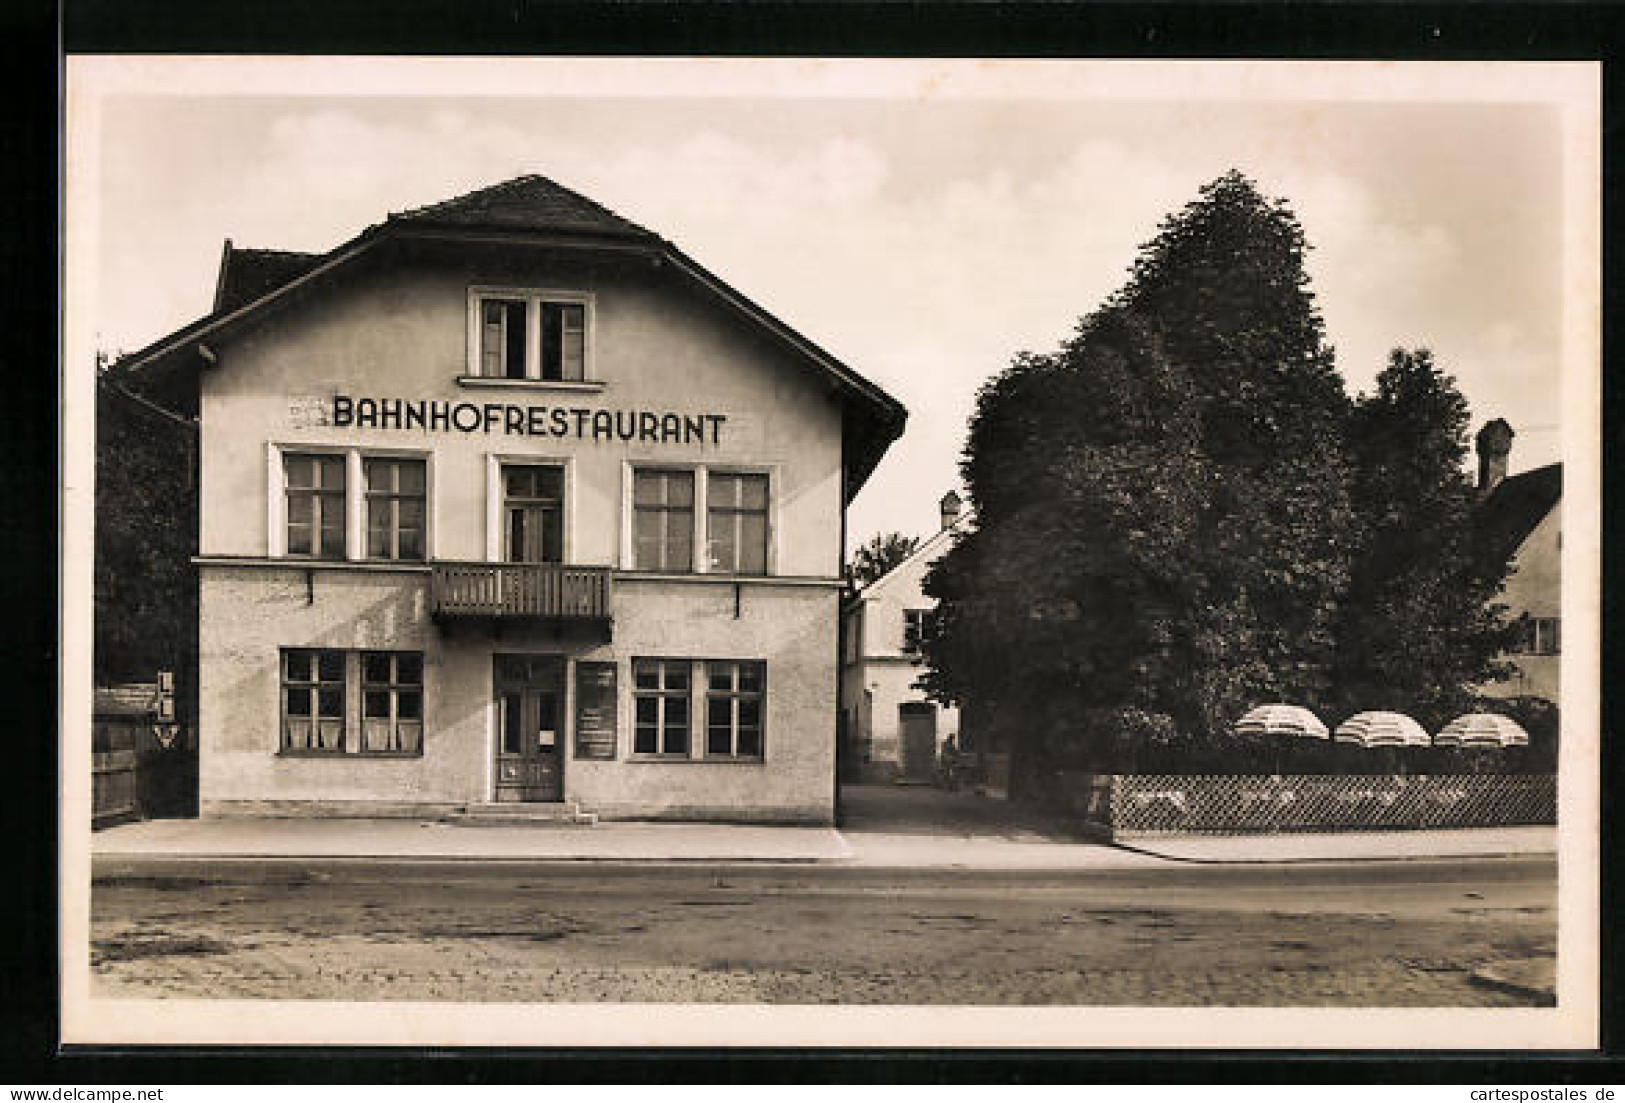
x=893, y=732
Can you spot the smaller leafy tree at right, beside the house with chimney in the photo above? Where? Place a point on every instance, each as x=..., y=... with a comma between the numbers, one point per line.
x=1419, y=626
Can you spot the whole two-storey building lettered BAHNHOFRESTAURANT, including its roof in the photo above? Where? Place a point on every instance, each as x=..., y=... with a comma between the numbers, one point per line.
x=511, y=501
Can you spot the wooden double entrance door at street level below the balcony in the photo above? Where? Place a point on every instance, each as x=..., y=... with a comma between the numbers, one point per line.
x=531, y=729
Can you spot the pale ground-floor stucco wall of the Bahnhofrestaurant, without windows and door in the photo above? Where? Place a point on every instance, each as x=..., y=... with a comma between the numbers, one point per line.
x=249, y=613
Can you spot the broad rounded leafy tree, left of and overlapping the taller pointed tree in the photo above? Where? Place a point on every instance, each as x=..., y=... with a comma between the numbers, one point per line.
x=1041, y=613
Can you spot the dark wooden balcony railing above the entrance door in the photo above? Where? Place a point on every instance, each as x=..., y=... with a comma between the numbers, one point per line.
x=545, y=592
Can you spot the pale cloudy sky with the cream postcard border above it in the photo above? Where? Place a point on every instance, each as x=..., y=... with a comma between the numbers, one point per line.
x=924, y=228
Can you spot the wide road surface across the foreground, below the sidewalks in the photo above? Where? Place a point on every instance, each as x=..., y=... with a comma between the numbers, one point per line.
x=1354, y=935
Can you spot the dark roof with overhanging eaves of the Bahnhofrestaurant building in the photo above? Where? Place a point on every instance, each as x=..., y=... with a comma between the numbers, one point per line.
x=531, y=210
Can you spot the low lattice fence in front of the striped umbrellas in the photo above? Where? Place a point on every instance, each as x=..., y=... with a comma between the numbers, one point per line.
x=1172, y=805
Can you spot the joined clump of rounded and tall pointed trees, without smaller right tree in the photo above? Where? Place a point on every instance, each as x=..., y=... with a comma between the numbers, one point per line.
x=1163, y=506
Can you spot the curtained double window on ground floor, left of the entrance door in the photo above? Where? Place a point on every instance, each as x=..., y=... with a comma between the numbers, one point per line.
x=331, y=693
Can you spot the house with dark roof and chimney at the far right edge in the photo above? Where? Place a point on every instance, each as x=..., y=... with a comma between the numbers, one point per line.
x=1520, y=522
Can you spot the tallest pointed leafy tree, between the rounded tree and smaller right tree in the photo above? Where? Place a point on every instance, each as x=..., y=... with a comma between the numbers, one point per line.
x=1226, y=285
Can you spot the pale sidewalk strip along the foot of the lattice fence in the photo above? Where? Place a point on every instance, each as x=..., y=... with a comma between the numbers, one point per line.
x=1476, y=842
